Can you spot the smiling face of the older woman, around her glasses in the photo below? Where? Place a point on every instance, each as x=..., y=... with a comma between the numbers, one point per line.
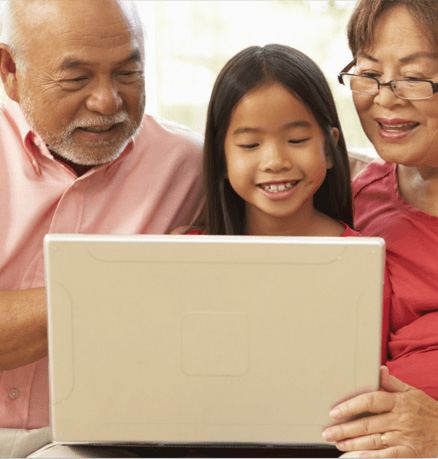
x=402, y=131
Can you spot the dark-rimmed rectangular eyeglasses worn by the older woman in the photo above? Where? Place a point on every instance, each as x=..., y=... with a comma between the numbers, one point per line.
x=404, y=89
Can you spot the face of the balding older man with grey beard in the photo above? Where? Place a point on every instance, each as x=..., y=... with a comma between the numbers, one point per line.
x=83, y=89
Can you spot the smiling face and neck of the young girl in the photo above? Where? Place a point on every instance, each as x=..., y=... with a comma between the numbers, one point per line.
x=276, y=159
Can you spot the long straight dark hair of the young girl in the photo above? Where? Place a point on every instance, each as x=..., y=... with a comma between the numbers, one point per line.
x=224, y=211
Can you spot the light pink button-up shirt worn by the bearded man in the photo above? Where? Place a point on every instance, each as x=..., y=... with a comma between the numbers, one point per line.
x=150, y=188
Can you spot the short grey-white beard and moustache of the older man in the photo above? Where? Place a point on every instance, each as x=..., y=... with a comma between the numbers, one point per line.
x=93, y=153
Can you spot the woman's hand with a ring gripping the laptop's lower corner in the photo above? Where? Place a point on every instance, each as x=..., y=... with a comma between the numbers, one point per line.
x=402, y=422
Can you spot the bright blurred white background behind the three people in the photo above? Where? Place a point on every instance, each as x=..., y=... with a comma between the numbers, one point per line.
x=188, y=42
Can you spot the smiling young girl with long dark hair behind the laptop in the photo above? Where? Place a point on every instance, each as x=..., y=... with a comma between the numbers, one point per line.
x=275, y=160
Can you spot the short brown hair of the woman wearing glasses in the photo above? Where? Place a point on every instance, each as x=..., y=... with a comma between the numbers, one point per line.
x=362, y=23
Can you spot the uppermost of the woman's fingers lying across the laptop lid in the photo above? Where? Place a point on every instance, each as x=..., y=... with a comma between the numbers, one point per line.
x=372, y=402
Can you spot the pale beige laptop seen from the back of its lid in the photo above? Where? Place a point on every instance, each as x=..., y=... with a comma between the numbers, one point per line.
x=237, y=340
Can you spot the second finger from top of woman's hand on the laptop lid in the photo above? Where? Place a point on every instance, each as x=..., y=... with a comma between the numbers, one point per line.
x=360, y=427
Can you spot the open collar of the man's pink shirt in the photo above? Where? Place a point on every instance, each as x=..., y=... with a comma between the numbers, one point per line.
x=34, y=144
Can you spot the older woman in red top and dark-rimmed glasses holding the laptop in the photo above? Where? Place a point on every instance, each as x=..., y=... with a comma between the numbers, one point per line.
x=394, y=80
